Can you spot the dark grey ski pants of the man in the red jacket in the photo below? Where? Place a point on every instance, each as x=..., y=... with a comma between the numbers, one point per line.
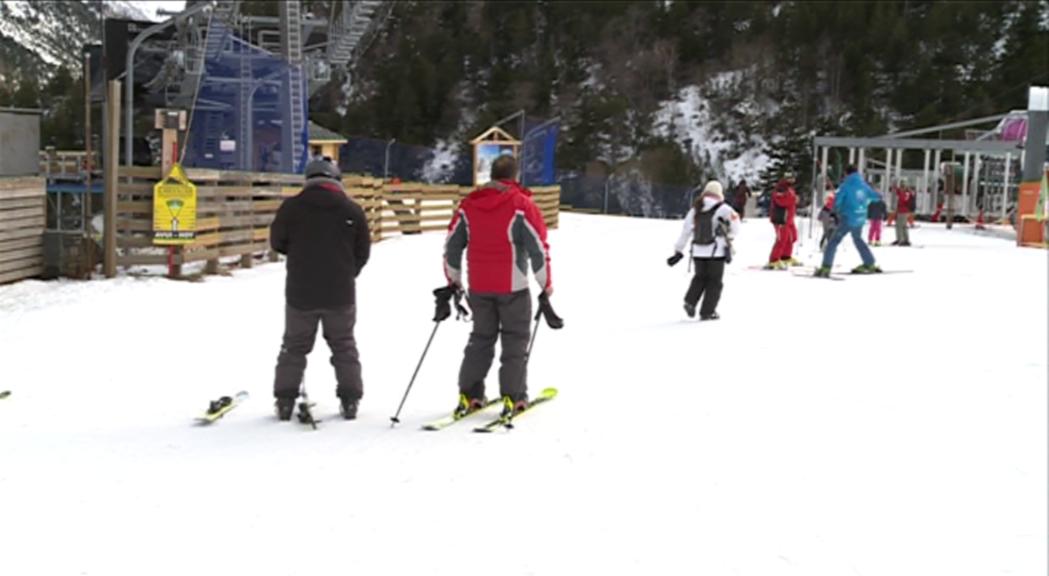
x=498, y=316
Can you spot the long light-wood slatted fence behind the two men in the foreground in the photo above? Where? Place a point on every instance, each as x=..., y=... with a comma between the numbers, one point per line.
x=236, y=209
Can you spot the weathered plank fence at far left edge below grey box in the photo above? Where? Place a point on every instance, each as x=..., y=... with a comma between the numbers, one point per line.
x=24, y=216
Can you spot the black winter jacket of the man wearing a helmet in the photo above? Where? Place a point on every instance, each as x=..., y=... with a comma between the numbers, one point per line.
x=326, y=238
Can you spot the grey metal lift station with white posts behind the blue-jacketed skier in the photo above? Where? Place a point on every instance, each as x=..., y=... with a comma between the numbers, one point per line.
x=981, y=174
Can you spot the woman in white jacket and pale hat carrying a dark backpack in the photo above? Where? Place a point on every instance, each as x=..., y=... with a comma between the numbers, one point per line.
x=710, y=226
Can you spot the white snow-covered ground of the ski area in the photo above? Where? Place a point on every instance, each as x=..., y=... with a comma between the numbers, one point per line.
x=877, y=426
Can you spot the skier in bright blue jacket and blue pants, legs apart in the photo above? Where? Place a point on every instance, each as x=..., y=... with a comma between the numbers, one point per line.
x=850, y=205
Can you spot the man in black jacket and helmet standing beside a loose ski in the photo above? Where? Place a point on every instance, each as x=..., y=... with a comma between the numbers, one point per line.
x=326, y=237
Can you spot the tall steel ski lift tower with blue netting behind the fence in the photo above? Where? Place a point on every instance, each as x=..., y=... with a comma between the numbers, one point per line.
x=246, y=79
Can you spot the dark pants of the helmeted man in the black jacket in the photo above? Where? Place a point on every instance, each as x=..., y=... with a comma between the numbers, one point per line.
x=301, y=333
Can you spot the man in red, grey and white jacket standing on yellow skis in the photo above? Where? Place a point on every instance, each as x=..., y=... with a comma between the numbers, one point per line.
x=502, y=230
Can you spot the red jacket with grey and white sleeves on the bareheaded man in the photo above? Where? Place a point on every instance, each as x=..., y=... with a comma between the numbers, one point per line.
x=501, y=229
